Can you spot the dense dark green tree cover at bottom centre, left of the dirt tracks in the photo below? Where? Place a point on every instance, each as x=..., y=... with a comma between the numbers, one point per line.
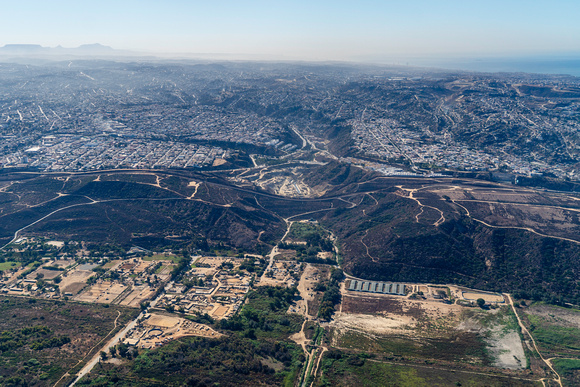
x=255, y=351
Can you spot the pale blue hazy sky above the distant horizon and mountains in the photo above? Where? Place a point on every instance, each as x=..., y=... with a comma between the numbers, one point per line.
x=297, y=29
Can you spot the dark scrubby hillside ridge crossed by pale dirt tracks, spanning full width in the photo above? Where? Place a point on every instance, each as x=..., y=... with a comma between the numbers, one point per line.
x=444, y=230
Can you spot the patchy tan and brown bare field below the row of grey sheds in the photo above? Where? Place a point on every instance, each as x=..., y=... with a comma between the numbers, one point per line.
x=391, y=323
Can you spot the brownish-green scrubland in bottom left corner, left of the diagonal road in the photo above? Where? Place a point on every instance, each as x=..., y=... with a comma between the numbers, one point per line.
x=40, y=340
